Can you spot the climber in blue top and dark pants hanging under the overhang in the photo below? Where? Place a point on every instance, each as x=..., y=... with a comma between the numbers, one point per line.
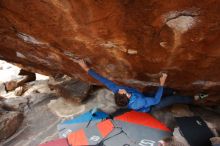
x=132, y=98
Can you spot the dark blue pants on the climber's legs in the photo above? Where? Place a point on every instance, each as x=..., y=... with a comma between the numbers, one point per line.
x=170, y=98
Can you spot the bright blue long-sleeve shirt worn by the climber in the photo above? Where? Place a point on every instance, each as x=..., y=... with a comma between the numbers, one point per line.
x=137, y=101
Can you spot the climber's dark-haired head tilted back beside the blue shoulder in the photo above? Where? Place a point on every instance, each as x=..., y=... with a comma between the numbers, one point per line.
x=122, y=98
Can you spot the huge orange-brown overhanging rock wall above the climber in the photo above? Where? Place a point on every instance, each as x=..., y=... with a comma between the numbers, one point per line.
x=129, y=41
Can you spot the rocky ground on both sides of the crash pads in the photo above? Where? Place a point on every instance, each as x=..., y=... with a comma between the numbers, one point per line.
x=32, y=117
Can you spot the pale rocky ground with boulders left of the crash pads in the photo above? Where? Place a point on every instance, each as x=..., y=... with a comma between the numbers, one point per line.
x=30, y=112
